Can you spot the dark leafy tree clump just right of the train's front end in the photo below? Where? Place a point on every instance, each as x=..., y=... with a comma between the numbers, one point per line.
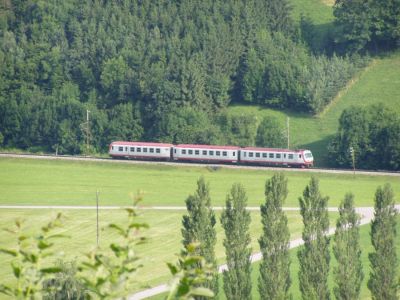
x=373, y=133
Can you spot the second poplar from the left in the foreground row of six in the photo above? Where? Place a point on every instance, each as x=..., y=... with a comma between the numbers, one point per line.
x=236, y=221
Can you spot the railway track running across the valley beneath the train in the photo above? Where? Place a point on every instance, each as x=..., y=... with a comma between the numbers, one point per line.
x=186, y=164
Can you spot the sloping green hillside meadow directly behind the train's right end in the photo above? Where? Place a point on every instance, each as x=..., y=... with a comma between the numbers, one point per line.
x=377, y=83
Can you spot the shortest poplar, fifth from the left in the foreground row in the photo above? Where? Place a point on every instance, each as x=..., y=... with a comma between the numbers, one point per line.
x=348, y=273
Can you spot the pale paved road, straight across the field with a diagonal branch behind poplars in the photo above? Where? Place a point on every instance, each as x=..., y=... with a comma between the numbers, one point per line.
x=366, y=214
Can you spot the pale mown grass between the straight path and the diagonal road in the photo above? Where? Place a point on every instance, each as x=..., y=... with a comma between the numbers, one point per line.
x=164, y=237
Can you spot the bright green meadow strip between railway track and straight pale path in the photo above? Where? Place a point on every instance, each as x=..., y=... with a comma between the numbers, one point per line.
x=57, y=182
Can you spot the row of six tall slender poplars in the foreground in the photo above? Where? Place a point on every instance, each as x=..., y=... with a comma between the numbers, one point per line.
x=314, y=257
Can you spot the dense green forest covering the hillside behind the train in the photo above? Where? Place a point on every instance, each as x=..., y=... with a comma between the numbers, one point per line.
x=166, y=70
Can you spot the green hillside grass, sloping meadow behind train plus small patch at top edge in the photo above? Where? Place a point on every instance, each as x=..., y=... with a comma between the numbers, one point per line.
x=377, y=83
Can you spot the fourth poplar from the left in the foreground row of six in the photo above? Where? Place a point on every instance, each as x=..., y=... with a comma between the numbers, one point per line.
x=314, y=257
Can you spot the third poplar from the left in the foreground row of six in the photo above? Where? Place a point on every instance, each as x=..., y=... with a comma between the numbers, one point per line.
x=274, y=280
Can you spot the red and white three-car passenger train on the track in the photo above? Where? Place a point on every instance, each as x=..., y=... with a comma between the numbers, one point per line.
x=211, y=154
